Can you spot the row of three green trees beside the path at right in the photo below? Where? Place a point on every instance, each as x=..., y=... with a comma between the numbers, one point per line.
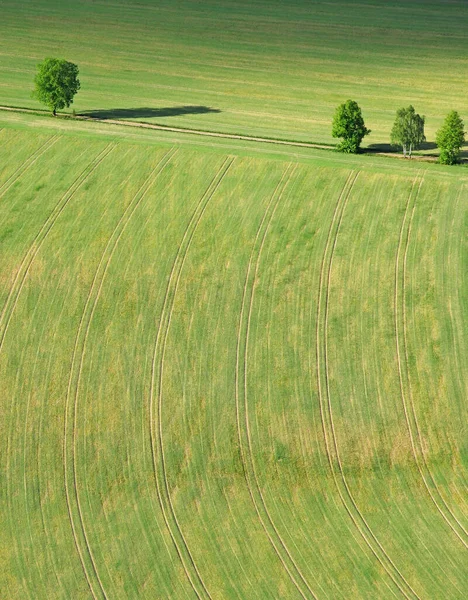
x=407, y=132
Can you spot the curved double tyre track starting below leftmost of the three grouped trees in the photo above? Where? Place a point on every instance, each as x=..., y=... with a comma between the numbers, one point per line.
x=326, y=410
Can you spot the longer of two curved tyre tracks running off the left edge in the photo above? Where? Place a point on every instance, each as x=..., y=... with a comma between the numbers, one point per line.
x=29, y=257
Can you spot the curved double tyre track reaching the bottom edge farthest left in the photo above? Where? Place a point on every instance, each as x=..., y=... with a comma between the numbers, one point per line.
x=71, y=404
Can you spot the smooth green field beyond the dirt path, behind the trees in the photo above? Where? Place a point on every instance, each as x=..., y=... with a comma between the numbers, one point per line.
x=269, y=68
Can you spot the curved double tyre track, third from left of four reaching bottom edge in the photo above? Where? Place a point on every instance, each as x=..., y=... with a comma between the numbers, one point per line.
x=244, y=434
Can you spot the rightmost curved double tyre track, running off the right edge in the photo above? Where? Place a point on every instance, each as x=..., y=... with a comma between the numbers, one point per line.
x=405, y=376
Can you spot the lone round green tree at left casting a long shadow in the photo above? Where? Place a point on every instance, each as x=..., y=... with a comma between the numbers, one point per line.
x=56, y=83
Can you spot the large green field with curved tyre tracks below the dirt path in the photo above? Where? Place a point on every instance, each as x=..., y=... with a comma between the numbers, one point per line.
x=228, y=375
